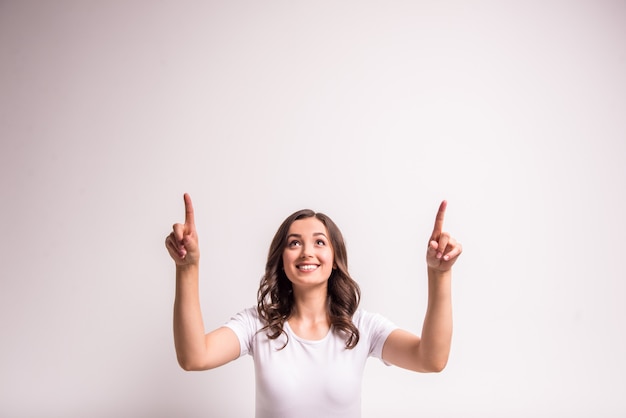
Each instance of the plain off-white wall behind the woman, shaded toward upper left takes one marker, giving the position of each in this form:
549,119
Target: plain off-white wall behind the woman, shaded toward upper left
369,111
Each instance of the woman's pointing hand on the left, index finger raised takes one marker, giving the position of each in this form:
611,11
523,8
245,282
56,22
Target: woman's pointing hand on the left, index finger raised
182,243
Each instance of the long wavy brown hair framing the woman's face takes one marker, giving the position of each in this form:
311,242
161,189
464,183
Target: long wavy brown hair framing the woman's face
275,300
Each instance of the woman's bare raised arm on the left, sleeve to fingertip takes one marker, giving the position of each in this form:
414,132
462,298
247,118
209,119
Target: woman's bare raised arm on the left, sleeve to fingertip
194,349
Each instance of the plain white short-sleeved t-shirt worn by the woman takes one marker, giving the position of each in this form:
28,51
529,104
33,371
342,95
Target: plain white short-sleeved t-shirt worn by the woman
309,378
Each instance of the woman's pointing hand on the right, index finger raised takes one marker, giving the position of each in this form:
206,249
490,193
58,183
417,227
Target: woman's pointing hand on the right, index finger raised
443,250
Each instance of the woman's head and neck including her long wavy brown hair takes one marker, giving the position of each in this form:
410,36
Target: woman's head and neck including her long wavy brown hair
308,258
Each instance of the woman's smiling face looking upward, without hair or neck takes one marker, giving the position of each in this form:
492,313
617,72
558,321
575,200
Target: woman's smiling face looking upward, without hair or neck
308,258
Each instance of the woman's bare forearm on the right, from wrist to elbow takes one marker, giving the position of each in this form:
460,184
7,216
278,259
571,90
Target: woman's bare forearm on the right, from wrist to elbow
436,338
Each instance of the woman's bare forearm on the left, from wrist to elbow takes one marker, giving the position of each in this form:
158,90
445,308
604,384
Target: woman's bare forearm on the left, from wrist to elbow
189,334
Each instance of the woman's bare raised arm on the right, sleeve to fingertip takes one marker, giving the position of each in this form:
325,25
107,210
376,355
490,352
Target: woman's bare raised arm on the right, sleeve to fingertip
429,353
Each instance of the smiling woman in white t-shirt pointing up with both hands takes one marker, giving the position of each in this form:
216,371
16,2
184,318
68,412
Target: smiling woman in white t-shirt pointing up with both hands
308,338
